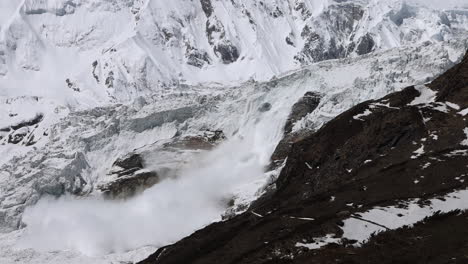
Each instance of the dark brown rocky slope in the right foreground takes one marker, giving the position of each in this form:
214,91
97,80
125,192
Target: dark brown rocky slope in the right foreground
397,150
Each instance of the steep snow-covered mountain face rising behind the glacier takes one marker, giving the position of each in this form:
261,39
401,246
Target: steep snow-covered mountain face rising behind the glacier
100,51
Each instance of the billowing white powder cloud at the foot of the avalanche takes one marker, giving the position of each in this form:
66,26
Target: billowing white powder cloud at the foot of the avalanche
161,215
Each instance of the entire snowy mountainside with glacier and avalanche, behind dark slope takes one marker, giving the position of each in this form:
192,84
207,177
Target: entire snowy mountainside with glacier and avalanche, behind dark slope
187,87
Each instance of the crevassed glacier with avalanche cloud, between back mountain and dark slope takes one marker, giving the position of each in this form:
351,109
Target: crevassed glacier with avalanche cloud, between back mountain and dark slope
204,180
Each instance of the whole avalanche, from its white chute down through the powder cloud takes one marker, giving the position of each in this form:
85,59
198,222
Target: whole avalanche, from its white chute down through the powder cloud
200,191
